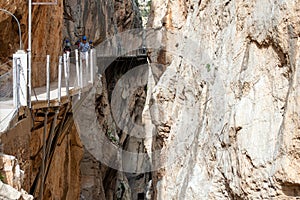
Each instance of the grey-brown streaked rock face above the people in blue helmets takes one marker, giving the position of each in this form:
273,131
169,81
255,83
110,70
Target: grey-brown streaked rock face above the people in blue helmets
99,19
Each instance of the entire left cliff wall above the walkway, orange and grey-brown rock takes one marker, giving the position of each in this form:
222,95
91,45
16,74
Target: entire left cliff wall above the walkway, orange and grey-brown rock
51,24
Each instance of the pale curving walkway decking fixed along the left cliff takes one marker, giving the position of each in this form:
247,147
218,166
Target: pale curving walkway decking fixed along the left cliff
8,113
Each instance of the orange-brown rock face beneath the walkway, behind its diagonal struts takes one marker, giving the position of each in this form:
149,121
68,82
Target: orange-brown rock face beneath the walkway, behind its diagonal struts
61,162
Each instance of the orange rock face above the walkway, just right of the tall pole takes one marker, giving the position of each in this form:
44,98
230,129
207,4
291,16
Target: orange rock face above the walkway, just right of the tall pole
47,24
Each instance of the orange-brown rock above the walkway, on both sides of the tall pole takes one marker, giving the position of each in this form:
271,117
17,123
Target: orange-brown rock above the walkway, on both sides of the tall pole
46,20
